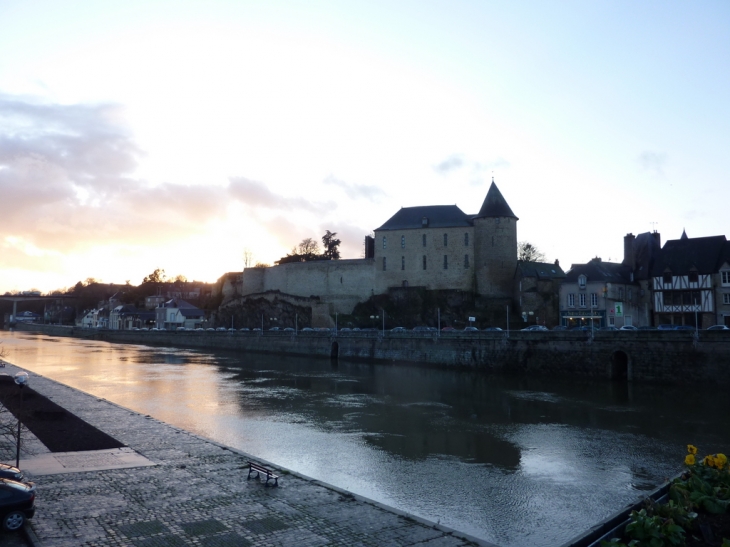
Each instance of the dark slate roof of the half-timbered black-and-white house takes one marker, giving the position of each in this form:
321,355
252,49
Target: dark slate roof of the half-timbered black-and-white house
706,254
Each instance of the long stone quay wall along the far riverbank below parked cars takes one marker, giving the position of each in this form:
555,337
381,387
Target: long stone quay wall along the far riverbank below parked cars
671,357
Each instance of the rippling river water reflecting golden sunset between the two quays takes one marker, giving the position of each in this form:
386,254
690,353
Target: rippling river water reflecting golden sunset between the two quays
512,460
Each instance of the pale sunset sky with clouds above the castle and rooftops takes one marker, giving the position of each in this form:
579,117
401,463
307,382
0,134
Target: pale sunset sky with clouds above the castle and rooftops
137,135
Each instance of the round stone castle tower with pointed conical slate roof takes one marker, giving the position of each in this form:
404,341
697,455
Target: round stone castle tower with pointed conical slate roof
495,246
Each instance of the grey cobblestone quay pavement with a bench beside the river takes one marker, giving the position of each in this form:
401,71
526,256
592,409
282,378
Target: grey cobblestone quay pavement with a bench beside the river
197,495
